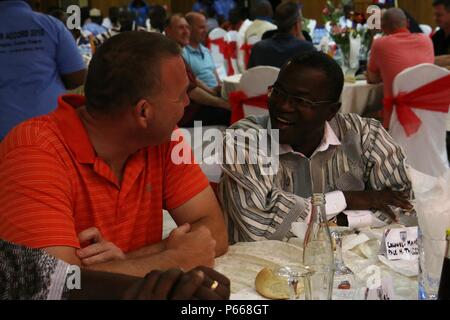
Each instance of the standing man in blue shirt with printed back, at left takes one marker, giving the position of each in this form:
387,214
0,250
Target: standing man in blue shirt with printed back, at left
39,60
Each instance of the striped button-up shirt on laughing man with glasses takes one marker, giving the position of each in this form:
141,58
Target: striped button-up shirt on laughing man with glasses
261,206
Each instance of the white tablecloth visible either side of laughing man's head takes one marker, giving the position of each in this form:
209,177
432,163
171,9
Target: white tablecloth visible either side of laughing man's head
357,97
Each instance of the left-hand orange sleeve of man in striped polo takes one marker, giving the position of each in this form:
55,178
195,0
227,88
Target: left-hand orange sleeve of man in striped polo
35,200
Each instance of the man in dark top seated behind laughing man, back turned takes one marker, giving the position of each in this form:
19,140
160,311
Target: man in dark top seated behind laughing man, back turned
287,42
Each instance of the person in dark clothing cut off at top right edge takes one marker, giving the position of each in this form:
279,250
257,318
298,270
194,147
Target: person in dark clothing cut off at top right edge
441,39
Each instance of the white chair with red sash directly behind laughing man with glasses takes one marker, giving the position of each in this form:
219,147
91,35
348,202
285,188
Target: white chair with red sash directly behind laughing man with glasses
251,98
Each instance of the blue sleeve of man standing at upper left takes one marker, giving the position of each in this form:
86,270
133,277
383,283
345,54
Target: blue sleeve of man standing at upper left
68,56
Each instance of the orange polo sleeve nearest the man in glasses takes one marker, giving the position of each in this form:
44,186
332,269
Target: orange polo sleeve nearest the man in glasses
183,178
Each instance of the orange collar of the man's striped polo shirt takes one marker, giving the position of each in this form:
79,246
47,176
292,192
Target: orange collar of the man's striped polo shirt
72,128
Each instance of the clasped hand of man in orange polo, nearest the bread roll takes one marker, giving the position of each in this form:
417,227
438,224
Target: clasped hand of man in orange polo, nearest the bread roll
194,248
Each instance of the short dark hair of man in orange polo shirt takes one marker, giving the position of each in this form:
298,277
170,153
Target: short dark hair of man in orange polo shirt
125,69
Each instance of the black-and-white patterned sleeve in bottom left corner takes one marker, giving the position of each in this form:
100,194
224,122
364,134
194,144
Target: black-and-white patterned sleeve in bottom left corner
36,275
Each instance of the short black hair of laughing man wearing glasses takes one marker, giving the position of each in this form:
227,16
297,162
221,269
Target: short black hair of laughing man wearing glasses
318,60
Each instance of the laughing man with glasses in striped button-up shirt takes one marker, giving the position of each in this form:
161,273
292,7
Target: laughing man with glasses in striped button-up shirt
352,160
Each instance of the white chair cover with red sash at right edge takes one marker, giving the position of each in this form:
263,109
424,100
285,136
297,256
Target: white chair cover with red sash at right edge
426,148
